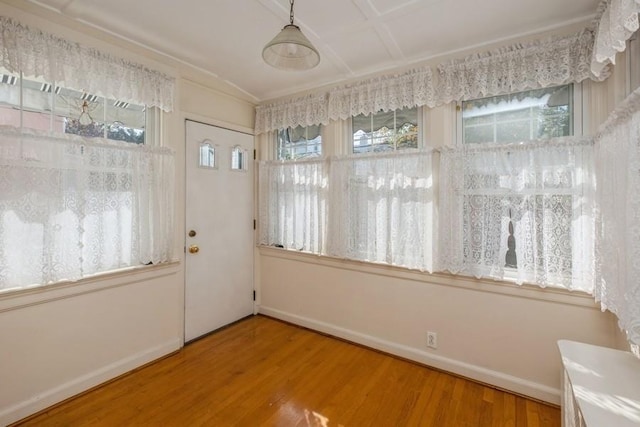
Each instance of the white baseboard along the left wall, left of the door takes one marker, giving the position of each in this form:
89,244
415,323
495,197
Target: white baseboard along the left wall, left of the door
76,386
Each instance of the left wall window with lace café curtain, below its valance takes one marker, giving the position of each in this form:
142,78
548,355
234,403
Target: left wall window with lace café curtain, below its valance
78,206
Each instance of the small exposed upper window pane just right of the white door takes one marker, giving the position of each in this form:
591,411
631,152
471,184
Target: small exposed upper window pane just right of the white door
299,142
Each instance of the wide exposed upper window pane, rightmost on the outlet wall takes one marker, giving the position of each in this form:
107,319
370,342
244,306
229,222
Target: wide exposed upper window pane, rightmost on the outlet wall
523,116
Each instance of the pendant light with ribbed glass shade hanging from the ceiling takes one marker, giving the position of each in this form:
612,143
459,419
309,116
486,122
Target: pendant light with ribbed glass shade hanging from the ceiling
290,49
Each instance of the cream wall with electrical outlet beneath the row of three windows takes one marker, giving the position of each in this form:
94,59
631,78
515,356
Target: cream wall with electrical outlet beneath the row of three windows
495,333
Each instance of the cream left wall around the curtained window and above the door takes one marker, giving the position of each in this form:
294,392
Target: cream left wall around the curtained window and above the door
61,340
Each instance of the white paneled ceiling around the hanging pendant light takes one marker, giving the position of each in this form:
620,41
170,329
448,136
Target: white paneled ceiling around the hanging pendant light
354,37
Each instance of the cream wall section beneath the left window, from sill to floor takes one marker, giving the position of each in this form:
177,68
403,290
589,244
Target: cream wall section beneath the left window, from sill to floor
59,342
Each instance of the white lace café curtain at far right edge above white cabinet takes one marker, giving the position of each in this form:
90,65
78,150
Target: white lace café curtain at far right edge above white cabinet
618,217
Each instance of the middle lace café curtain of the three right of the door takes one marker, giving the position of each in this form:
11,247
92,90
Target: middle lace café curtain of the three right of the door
381,208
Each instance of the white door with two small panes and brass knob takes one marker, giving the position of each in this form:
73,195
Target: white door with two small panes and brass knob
219,227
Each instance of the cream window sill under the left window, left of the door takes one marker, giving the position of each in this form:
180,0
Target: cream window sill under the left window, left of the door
12,299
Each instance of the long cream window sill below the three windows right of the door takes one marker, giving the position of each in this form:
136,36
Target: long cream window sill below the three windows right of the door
556,295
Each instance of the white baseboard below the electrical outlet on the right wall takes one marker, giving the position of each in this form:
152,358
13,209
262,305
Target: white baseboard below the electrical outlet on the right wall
478,373
